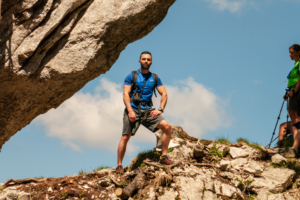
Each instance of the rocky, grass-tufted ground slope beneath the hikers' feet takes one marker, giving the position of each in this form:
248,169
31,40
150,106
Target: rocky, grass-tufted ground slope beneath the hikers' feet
203,170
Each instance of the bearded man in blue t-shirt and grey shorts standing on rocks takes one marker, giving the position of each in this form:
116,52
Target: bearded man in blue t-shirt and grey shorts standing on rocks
137,95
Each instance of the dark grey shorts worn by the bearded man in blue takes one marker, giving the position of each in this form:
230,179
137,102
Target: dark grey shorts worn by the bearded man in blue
132,127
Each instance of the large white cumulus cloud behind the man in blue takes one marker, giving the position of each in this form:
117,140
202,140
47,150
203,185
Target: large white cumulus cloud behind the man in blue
95,120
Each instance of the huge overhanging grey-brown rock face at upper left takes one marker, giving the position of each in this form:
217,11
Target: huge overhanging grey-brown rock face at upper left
49,49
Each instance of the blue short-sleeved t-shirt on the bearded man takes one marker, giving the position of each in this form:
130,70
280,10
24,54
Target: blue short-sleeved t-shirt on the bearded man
148,90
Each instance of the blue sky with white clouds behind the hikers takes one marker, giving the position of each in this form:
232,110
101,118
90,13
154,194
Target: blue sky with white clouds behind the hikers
223,62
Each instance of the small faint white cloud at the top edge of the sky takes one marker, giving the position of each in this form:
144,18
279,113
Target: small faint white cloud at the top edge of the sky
231,5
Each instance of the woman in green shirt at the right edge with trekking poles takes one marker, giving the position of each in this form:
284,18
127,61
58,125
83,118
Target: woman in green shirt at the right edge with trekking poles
293,99
